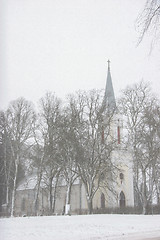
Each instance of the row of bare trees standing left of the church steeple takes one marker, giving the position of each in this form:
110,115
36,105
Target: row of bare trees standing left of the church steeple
58,141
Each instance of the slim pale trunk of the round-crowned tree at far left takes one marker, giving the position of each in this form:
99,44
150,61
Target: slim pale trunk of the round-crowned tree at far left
14,188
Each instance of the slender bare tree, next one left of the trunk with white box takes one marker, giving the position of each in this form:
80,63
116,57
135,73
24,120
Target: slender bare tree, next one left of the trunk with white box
50,117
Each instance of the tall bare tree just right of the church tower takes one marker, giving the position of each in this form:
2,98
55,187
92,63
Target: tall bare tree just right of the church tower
139,106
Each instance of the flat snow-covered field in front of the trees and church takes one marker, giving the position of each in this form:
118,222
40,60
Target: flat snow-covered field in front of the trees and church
84,227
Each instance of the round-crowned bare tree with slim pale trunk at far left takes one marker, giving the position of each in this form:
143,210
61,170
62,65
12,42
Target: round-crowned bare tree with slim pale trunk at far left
20,117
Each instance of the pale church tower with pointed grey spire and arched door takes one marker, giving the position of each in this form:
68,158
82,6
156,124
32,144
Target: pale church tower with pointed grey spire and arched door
121,156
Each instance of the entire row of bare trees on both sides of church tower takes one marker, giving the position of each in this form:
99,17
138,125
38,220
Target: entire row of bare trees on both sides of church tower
74,140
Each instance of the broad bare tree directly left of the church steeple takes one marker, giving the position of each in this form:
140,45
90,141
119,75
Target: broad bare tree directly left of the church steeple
95,142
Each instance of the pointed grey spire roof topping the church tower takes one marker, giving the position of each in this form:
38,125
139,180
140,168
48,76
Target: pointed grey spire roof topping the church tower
109,98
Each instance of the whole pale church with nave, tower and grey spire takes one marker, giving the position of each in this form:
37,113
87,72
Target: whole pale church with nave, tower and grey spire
122,196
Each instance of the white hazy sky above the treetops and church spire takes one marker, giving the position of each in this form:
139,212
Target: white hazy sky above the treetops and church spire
63,46
